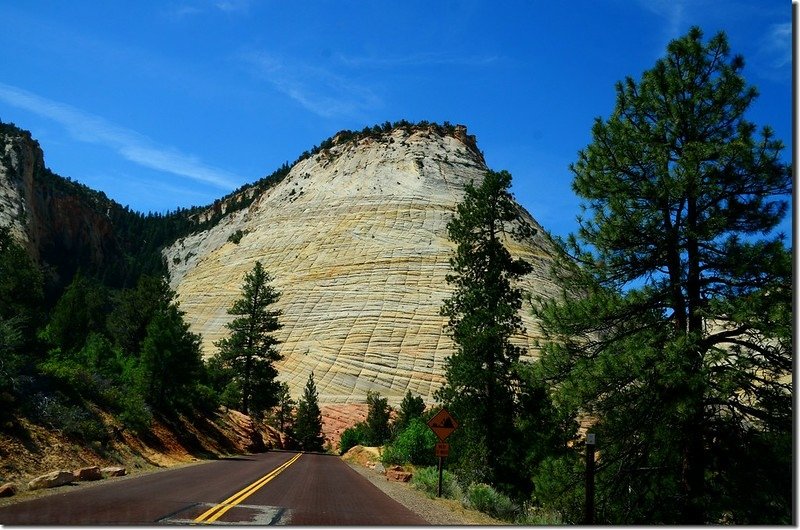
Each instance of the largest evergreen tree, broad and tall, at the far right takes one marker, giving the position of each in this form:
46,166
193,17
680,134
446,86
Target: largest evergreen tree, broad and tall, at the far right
675,333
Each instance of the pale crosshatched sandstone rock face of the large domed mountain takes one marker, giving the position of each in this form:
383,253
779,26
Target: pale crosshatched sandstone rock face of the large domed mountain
355,238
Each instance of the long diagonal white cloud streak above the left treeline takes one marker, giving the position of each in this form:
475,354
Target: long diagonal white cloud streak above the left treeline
129,144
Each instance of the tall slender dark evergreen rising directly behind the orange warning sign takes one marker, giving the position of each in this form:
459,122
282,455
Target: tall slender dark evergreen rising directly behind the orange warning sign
483,312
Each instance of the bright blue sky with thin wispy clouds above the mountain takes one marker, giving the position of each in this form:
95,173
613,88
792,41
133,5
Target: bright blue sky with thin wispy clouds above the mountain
176,103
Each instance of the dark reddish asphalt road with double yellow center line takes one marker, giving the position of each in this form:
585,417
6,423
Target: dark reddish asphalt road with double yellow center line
263,489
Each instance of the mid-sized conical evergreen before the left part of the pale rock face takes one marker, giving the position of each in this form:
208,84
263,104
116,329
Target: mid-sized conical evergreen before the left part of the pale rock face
250,350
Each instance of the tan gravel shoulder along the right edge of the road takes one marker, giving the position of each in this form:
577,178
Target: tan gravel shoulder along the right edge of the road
436,511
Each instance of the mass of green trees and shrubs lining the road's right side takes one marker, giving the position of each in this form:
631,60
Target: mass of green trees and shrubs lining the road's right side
672,339
